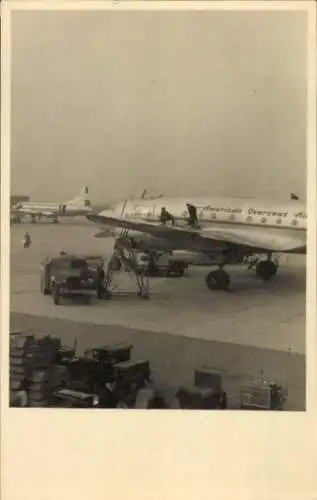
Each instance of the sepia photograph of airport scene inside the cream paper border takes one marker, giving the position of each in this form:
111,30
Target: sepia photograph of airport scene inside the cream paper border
158,209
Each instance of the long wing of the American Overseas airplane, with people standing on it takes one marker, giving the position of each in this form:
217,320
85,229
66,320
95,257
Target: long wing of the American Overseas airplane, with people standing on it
202,240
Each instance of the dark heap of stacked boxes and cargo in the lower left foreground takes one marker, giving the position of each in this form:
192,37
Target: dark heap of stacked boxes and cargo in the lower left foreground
42,370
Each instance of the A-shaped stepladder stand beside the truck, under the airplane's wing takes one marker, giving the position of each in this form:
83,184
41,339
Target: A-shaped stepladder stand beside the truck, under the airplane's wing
124,259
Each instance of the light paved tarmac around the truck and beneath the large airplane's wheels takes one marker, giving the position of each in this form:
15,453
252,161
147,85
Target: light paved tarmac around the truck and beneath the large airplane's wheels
258,329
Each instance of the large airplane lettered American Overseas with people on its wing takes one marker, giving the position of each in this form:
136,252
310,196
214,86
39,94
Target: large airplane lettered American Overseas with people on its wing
224,226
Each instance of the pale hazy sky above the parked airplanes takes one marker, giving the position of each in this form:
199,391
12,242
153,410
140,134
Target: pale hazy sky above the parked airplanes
196,103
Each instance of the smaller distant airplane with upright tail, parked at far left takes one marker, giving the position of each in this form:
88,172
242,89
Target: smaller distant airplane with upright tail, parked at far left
80,205
